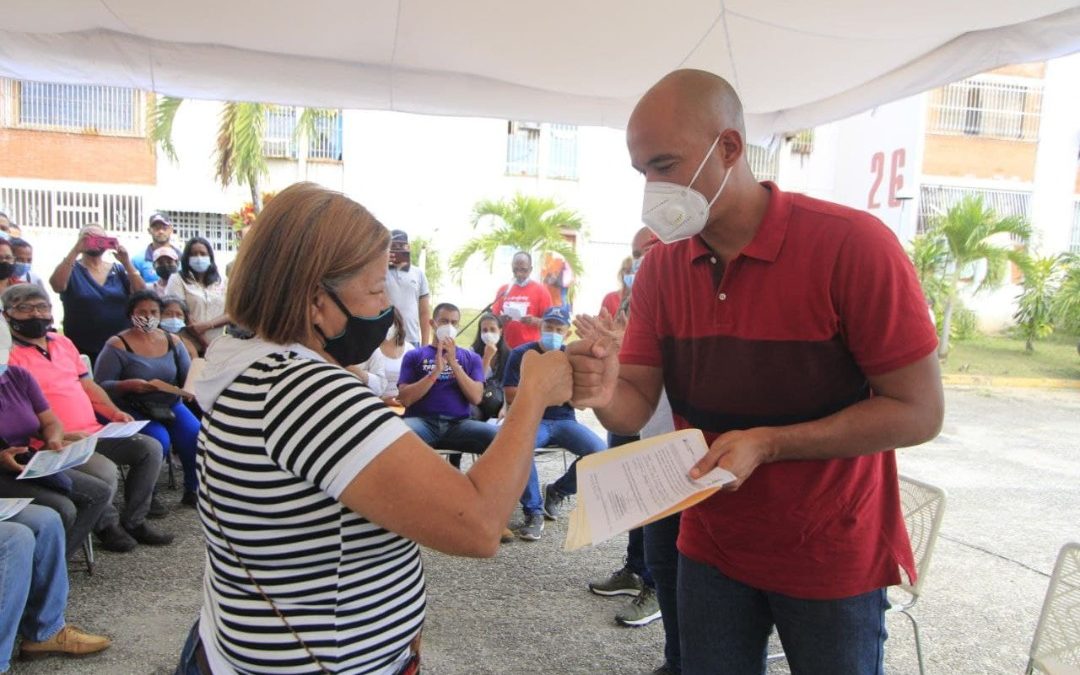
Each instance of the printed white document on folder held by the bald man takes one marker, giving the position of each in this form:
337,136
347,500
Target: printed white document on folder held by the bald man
634,484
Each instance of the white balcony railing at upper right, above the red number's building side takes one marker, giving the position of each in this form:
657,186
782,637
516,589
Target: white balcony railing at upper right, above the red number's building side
990,107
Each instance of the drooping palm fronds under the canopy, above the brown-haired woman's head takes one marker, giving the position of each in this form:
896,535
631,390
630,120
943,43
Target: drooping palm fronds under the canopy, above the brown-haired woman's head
240,157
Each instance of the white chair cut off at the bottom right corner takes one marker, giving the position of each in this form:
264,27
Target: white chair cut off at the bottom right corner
1056,649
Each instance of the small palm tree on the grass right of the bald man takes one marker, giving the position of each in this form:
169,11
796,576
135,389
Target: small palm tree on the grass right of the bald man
970,229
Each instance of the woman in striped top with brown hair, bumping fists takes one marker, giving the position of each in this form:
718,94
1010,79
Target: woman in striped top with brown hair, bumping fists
294,580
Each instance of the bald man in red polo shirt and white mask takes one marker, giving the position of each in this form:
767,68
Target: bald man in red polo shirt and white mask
794,334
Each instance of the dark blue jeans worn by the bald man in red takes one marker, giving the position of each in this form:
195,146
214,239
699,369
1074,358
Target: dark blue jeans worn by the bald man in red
725,627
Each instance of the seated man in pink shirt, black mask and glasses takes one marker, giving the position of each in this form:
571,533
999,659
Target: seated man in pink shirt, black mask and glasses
76,400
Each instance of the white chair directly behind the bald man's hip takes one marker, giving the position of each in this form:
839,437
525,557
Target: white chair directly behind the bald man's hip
924,506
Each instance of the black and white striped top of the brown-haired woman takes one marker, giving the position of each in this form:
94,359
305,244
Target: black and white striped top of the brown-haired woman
277,450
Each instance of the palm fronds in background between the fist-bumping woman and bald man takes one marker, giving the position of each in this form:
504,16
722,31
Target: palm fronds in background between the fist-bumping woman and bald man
525,223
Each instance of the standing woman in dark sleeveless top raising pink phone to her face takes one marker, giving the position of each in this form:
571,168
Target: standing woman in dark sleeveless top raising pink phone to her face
94,291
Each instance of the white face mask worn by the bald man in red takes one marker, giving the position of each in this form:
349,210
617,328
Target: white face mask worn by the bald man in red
677,212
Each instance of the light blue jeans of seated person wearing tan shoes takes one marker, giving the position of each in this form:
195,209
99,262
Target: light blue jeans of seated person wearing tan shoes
33,578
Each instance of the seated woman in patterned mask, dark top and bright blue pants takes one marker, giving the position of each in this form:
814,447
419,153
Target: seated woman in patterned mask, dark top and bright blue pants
137,368
